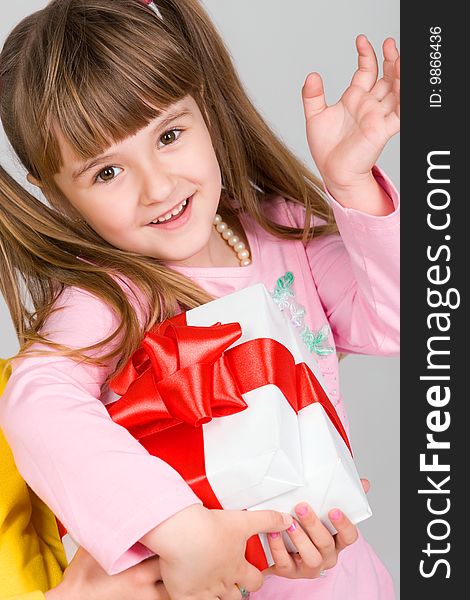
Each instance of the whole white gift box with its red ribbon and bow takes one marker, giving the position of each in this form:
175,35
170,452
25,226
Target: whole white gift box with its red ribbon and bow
228,394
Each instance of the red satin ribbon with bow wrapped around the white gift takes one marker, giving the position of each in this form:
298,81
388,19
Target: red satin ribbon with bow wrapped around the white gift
182,376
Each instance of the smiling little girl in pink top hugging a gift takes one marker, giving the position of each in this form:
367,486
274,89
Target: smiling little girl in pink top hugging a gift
132,121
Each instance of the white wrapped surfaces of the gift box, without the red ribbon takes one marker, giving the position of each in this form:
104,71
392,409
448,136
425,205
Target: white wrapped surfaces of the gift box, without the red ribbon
268,455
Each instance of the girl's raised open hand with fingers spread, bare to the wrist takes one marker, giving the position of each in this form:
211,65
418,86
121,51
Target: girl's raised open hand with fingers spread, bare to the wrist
346,138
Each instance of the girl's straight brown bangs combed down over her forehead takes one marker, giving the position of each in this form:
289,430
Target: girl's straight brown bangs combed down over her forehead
110,82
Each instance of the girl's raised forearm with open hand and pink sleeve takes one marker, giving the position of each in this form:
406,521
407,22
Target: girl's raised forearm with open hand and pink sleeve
357,274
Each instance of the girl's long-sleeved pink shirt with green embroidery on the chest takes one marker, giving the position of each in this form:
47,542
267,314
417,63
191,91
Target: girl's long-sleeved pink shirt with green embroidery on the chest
104,486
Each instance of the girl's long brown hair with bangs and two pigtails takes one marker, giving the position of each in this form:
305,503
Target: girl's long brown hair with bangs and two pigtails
73,65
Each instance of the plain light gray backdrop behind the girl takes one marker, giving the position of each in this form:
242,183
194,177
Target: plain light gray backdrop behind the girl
275,45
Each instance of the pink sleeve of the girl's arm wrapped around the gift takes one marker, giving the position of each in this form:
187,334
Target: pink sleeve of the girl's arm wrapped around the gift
100,482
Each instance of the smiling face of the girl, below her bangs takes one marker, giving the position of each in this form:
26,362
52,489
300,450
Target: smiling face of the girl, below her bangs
167,169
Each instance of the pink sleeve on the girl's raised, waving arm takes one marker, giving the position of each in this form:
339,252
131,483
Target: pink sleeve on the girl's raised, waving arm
357,275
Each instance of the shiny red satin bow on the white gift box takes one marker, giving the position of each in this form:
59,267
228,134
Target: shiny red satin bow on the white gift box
179,374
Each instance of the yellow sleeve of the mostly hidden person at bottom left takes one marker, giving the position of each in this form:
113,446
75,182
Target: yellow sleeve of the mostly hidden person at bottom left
32,557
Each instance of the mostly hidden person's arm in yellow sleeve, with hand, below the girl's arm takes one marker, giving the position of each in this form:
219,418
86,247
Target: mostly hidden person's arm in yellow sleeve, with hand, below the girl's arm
32,555
